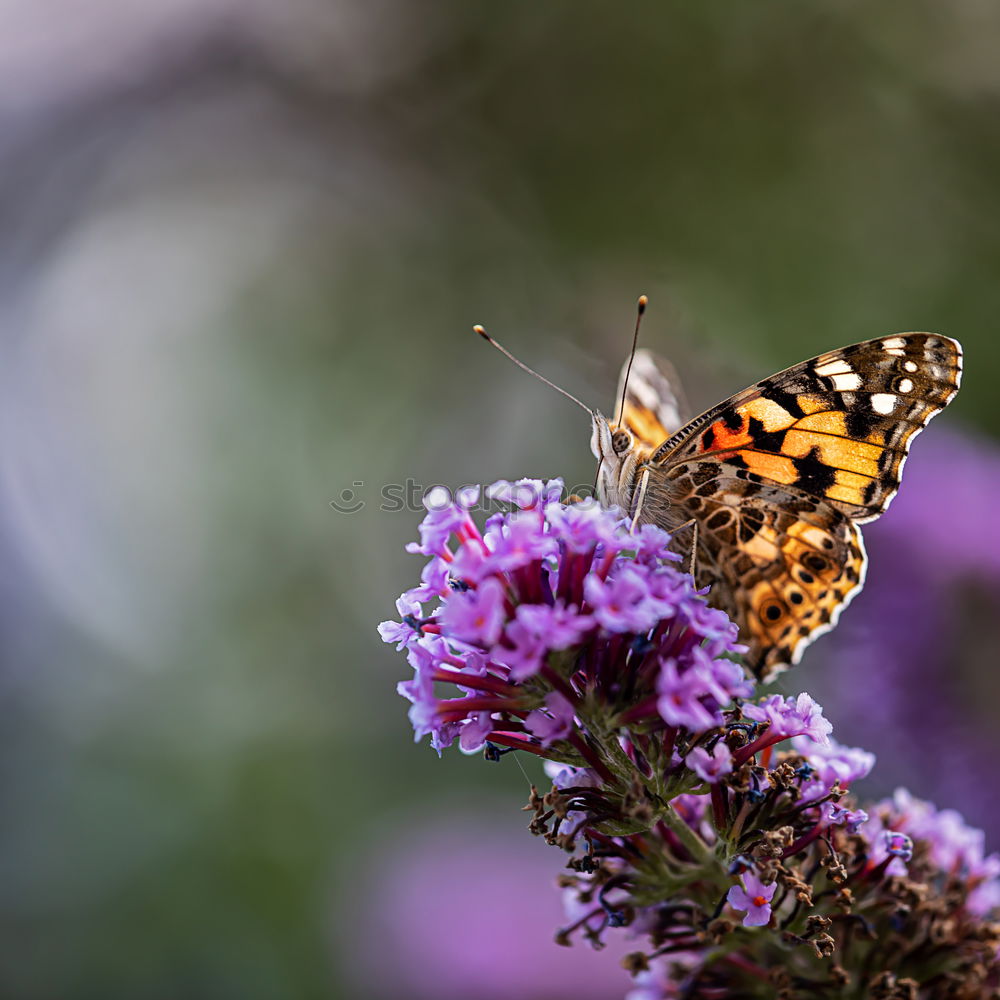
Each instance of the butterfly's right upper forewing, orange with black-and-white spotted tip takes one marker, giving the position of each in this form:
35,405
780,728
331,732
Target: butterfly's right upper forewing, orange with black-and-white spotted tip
838,426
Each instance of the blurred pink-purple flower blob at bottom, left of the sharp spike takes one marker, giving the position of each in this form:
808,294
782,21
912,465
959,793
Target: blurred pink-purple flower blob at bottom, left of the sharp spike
465,910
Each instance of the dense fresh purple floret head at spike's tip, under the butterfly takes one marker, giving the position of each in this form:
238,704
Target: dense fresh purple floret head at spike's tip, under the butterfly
554,610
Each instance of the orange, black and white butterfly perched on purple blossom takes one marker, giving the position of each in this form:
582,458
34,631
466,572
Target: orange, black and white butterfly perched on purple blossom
774,483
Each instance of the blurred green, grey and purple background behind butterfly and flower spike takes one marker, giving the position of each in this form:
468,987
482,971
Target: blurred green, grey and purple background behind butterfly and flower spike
243,245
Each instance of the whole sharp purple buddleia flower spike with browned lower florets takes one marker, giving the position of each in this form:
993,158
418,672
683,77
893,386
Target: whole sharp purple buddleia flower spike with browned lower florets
721,833
